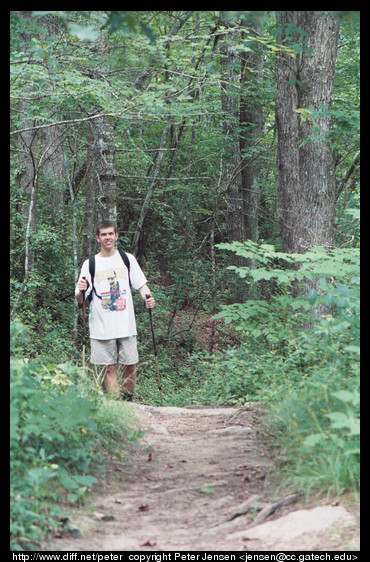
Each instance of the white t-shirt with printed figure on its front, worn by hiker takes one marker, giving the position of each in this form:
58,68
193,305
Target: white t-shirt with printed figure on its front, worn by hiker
113,315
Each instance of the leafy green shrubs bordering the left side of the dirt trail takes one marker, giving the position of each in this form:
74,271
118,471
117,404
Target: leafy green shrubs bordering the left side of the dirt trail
60,430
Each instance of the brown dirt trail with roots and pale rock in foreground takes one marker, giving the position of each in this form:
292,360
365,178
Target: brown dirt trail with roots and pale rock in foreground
183,487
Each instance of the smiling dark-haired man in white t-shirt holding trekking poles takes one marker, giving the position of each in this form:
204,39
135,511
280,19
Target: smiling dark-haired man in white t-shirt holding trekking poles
112,321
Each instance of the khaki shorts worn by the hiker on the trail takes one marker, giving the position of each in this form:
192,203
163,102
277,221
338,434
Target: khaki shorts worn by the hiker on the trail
111,352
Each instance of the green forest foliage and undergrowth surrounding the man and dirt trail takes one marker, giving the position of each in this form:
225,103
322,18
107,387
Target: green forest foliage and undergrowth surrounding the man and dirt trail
166,122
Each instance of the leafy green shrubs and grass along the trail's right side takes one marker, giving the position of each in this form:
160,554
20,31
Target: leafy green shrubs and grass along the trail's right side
301,357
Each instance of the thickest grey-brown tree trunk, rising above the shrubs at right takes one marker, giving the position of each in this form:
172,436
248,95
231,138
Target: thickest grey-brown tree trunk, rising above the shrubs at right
305,158
